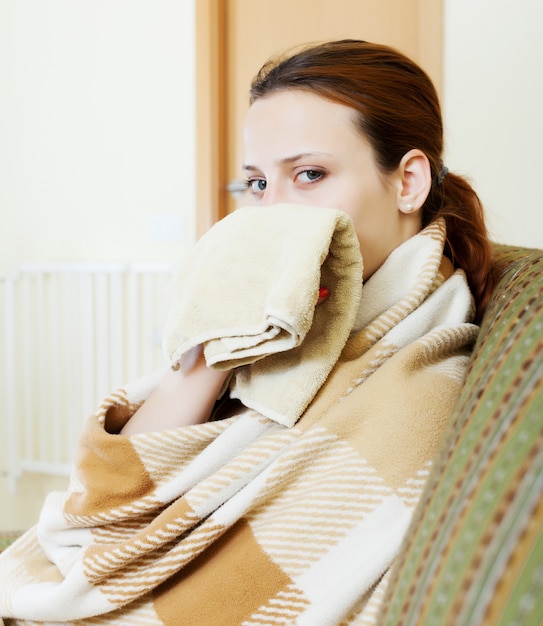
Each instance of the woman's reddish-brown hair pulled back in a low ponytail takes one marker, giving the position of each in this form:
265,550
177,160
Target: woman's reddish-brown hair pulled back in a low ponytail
398,110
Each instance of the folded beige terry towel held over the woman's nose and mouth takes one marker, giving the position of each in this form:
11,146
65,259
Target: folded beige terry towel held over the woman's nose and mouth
248,293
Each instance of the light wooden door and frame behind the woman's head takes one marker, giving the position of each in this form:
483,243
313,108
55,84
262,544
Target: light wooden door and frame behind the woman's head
234,39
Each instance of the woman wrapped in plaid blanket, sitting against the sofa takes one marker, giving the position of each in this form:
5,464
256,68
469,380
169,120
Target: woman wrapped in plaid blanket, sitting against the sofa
249,518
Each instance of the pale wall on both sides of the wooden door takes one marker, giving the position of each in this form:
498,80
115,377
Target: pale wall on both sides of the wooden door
97,131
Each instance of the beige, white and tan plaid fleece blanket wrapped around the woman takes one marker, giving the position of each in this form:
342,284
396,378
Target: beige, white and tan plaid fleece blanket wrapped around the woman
251,520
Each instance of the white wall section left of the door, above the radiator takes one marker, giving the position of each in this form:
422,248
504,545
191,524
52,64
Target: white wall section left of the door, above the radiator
96,127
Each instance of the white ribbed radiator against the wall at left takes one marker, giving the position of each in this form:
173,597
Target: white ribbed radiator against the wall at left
73,334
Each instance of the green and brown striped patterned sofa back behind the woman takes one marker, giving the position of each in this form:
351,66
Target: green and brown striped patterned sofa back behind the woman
474,552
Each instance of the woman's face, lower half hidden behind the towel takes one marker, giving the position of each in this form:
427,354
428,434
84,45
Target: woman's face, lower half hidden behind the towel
301,148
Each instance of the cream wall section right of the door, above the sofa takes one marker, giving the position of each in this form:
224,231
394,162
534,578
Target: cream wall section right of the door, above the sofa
493,104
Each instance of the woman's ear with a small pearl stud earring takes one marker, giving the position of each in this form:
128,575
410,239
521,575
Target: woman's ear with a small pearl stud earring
416,181
